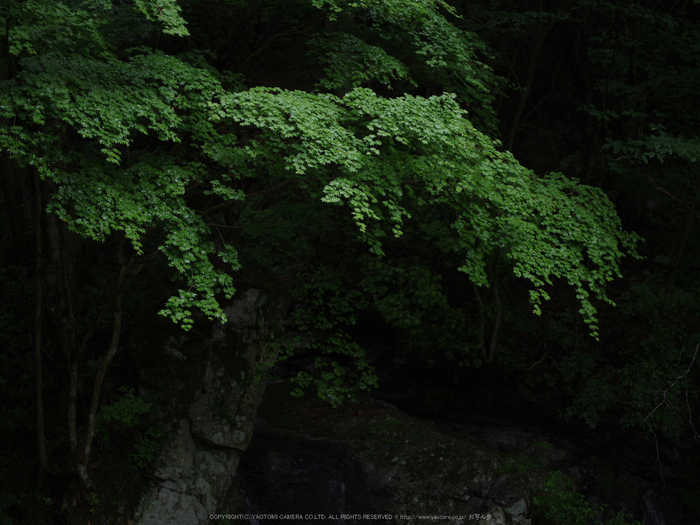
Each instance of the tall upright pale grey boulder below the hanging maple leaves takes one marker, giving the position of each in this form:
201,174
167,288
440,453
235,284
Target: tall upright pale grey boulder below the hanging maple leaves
204,388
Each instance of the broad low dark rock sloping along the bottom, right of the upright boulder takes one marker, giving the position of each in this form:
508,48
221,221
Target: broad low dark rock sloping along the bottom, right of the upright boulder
369,458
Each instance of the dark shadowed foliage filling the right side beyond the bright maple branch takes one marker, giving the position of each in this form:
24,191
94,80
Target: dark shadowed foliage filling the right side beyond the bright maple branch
634,69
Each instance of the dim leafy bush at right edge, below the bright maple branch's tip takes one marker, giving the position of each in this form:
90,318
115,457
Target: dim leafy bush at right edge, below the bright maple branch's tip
654,383
